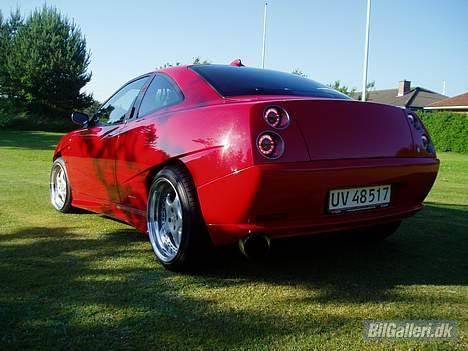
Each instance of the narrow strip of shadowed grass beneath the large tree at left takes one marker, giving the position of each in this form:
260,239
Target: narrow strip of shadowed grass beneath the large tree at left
32,140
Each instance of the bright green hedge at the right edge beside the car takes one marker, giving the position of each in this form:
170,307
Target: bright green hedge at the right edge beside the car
448,130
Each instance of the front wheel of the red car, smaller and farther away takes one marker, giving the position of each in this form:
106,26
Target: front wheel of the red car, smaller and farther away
60,190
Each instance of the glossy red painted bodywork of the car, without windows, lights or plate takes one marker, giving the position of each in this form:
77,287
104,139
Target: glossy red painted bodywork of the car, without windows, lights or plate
330,144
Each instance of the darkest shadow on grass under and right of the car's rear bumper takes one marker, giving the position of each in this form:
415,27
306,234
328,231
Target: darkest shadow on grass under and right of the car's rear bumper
429,248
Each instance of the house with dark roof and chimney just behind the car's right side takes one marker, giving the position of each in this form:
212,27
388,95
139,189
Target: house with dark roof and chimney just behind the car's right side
405,96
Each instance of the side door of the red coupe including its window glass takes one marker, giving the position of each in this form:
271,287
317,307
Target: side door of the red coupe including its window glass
92,162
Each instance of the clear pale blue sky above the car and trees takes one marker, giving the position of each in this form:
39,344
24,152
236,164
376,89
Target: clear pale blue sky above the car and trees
424,41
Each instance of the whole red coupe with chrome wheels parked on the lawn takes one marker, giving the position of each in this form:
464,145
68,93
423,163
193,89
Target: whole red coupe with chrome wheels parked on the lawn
219,154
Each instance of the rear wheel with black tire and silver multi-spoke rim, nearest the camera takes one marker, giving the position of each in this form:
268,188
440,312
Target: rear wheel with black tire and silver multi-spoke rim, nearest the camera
176,229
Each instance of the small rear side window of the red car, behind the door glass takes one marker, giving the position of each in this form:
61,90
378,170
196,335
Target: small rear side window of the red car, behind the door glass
160,93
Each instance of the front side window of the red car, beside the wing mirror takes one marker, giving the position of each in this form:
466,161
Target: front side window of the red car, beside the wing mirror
115,109
